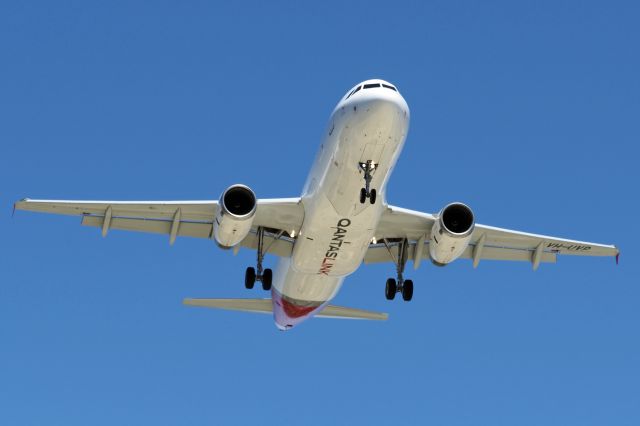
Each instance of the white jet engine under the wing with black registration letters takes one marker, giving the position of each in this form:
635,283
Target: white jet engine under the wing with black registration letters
451,233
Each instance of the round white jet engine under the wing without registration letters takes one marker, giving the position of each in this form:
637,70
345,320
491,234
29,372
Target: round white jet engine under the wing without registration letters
233,221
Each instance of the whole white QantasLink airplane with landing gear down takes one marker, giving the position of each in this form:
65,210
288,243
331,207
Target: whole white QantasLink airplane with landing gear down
341,220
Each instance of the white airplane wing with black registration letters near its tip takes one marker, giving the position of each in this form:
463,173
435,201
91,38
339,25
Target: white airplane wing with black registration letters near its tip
487,242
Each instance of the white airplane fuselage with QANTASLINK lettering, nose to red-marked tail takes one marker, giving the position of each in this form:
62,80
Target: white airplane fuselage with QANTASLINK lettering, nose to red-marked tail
369,125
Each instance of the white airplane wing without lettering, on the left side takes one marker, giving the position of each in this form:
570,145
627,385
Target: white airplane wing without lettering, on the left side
279,216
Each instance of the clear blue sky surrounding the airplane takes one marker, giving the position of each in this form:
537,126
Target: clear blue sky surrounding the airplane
527,111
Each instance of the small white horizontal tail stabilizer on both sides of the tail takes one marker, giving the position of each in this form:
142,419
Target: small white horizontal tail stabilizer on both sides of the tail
264,306
